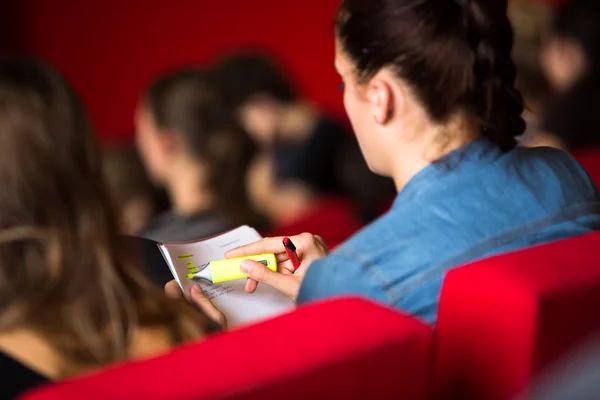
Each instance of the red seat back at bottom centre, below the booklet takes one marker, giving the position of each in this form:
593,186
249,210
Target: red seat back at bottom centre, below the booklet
341,349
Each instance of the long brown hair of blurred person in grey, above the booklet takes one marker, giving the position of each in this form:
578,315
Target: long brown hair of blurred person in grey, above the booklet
189,102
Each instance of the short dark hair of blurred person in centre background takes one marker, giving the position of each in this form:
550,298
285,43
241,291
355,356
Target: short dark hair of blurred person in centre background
245,74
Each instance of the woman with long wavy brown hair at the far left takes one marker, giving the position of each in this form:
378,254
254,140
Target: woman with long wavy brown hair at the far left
71,298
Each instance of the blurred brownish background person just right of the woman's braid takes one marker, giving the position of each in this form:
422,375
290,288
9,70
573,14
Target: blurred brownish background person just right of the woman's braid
531,21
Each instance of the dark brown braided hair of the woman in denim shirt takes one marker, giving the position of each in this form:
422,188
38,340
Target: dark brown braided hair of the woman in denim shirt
455,55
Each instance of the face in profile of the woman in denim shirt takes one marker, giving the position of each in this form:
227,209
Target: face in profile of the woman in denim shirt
359,108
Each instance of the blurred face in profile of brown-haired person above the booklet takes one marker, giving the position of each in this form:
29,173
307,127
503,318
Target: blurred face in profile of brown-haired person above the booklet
150,144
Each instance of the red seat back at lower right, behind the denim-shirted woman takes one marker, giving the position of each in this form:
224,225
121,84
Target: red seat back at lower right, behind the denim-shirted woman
503,319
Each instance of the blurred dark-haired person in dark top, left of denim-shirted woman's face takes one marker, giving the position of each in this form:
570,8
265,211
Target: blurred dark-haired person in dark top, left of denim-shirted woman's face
308,165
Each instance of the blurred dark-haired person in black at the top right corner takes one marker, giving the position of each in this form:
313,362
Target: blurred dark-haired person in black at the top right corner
571,60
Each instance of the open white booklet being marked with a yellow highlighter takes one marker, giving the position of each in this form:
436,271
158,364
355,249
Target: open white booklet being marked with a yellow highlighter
230,298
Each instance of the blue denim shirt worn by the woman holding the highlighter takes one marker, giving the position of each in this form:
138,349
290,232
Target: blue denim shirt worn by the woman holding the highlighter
473,203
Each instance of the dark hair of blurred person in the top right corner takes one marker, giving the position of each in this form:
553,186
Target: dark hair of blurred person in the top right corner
578,20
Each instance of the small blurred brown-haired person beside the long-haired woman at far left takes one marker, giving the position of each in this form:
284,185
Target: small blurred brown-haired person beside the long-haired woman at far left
137,199
